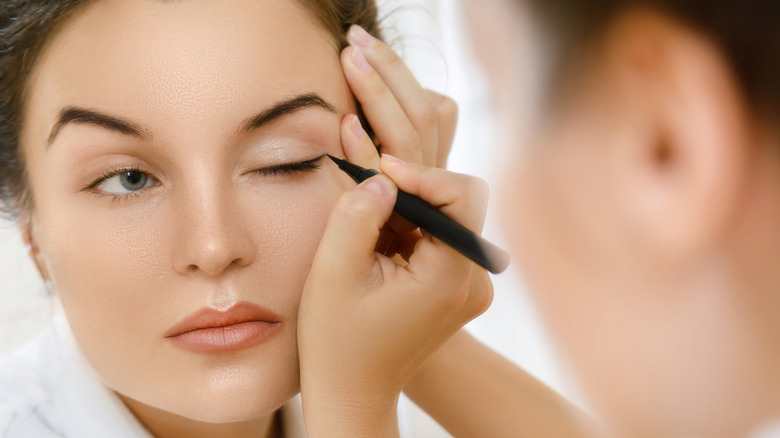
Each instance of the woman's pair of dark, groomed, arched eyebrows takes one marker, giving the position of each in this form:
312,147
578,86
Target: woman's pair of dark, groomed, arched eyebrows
74,114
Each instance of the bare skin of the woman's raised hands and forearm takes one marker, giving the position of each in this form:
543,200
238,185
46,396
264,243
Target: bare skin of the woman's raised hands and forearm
353,372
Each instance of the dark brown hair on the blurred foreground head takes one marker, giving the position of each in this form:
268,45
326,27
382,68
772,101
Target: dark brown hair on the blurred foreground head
746,31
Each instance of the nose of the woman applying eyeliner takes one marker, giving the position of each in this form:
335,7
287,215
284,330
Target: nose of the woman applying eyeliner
212,236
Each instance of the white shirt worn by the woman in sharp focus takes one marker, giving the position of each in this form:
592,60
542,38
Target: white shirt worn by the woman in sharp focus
48,390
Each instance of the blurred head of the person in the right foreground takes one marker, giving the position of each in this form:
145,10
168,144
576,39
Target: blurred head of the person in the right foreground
643,200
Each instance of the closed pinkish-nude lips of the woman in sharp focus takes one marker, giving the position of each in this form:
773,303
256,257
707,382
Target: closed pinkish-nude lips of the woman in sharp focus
208,330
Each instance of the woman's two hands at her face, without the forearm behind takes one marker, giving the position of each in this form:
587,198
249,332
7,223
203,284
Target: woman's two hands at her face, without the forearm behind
367,322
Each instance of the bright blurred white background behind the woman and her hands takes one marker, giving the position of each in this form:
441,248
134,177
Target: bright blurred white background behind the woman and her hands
431,36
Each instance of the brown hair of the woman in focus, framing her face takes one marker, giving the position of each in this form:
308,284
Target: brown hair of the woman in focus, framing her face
27,25
